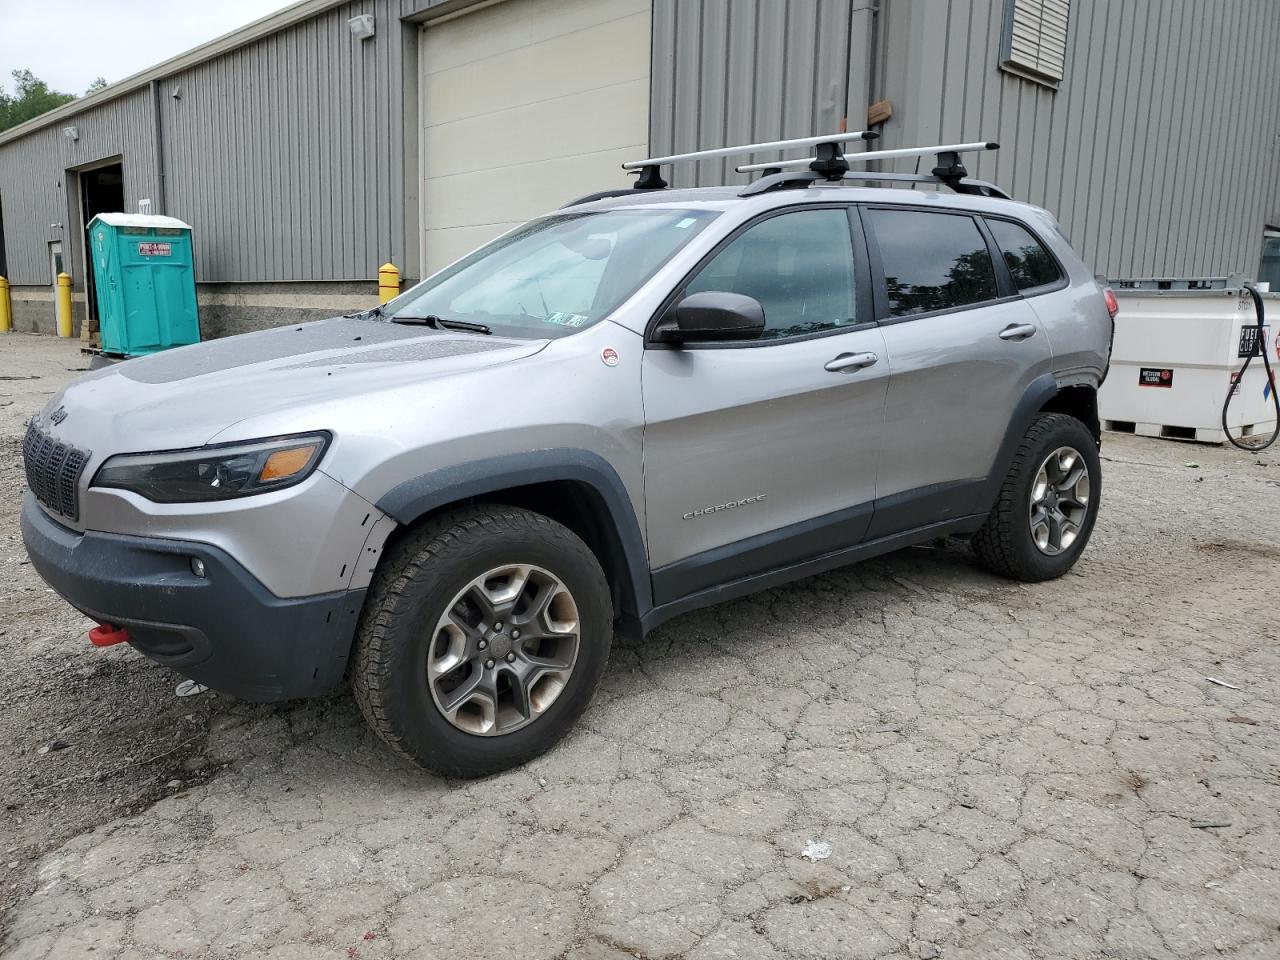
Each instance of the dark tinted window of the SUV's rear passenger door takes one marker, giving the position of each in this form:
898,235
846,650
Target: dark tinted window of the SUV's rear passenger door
932,262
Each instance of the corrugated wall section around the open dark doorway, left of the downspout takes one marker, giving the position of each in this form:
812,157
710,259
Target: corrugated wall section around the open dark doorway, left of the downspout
34,191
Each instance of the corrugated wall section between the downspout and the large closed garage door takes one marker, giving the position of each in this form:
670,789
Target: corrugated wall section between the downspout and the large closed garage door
287,157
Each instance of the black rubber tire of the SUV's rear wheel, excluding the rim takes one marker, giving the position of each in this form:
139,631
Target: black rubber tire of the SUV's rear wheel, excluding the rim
1005,545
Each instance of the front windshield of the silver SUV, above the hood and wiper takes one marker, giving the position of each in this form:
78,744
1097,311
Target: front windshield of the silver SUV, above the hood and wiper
555,276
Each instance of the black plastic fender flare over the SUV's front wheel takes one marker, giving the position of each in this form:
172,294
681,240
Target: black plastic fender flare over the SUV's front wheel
415,499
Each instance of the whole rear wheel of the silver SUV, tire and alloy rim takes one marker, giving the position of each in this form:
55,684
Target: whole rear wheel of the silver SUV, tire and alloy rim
1048,505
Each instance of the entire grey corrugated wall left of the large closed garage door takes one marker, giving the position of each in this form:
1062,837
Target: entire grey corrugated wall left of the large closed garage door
286,156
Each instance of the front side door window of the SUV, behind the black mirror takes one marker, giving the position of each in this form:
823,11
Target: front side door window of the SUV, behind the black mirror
801,267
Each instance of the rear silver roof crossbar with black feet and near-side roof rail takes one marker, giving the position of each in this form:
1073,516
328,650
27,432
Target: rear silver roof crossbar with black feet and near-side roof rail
949,171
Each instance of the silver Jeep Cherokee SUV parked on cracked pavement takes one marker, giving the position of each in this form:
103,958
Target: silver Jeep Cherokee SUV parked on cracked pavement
629,409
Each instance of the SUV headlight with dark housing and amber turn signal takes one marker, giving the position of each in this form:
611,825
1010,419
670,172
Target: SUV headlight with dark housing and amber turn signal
216,473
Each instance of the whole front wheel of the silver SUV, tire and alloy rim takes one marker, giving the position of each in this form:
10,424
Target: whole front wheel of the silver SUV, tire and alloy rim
483,641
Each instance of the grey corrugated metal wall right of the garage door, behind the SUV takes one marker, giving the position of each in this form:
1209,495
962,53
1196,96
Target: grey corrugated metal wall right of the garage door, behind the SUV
1159,153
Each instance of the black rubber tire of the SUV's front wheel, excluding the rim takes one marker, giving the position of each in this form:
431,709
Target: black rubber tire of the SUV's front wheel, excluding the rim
423,574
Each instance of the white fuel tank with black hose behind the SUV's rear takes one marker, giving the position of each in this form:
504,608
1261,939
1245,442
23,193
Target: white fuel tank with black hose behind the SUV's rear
1180,346
